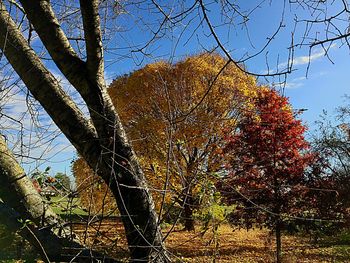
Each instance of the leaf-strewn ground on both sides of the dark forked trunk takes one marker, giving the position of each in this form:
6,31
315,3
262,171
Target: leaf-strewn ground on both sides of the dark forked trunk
224,245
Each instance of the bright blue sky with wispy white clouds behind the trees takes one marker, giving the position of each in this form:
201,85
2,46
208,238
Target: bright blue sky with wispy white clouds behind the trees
320,88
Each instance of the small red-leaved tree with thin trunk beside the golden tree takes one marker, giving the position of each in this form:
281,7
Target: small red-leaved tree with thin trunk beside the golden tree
268,156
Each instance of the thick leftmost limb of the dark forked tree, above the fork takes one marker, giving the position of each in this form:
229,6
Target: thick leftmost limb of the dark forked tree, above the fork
42,83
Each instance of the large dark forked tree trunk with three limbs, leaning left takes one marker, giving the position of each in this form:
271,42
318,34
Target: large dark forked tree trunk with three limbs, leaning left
101,142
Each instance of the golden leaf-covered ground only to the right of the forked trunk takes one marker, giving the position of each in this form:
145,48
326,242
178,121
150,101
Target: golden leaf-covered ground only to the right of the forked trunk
250,246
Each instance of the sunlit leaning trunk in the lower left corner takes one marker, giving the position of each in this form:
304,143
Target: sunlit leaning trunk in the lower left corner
45,230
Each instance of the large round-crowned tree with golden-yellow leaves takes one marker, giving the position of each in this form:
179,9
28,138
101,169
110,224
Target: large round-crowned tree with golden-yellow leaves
175,115
